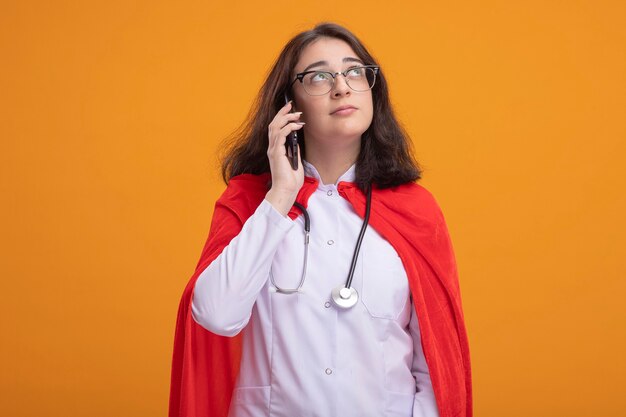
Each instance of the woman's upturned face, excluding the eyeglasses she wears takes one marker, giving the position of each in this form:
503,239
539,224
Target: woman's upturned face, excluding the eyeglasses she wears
324,125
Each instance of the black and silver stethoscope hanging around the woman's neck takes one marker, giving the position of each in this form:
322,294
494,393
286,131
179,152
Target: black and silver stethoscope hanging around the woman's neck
344,296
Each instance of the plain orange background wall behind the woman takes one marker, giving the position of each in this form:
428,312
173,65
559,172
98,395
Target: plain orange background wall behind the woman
111,114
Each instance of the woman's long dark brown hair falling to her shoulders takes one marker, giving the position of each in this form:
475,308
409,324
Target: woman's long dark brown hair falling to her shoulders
385,158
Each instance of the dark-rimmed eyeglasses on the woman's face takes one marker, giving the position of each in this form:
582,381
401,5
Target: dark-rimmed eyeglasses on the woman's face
318,83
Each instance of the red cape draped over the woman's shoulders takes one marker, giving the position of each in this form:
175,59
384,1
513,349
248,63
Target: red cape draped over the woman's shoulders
205,365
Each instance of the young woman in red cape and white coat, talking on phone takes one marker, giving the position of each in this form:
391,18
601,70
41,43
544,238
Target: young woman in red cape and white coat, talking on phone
328,285
